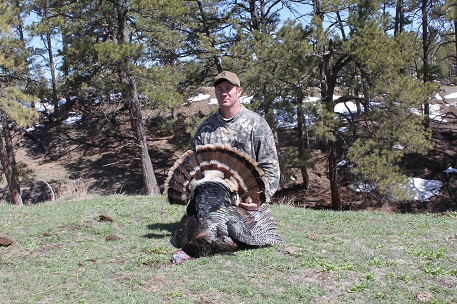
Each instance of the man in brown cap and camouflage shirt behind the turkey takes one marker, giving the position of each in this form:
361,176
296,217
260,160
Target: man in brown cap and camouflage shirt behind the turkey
241,128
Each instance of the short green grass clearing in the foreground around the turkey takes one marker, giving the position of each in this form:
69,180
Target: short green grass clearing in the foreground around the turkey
60,255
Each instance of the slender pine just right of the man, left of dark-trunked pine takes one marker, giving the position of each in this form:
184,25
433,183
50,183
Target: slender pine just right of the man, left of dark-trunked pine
294,75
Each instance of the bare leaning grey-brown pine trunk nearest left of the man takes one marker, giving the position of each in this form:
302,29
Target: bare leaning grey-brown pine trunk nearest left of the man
149,180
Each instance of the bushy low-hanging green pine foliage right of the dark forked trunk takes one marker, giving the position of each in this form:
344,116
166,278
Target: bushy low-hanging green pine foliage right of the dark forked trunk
387,130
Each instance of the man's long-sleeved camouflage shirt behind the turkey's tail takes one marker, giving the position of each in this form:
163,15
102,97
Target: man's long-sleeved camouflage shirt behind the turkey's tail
248,132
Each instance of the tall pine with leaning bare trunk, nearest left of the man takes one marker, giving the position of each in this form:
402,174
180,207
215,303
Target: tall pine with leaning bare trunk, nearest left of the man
129,45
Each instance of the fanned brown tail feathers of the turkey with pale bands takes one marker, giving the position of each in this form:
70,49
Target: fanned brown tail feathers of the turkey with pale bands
232,163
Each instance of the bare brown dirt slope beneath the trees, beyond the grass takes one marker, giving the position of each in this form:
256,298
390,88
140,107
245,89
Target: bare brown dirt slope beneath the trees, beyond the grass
91,157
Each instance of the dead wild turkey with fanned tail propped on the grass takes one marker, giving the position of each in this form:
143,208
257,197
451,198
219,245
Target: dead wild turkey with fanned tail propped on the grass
212,181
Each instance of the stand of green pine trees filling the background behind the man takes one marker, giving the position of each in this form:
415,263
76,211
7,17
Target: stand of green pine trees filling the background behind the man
388,57
